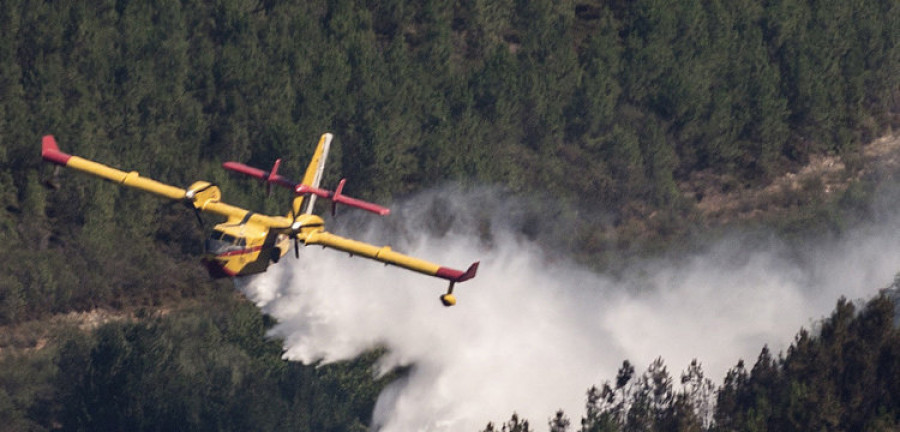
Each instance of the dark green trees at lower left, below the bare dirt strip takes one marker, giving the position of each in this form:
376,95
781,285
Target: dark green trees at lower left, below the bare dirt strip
204,369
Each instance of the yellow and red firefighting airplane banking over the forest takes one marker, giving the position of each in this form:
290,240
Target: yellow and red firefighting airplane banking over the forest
247,242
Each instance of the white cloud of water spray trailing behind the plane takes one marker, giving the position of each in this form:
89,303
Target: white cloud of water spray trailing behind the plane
533,331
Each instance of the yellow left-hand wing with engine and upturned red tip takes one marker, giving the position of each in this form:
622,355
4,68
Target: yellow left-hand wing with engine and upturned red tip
202,196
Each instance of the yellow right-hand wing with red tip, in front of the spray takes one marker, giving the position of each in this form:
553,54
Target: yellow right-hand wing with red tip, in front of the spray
386,255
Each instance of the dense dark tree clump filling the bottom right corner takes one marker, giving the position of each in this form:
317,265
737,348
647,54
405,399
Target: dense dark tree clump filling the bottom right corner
841,379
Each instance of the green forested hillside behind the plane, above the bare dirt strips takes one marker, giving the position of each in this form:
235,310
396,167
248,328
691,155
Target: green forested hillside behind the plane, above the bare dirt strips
602,105
